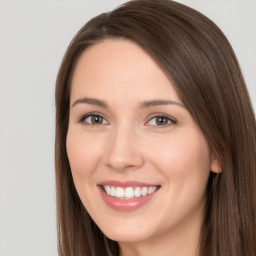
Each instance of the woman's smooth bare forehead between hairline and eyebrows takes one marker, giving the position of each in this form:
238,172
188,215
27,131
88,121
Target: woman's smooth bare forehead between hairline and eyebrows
120,67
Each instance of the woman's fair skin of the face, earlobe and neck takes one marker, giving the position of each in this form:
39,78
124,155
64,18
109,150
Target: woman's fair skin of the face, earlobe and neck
129,144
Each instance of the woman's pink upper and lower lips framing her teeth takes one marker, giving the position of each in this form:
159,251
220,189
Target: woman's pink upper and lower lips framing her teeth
126,205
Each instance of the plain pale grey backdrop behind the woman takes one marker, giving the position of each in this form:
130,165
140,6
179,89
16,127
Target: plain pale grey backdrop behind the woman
33,38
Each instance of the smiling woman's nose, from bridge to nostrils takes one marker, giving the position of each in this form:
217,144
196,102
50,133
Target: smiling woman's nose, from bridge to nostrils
124,151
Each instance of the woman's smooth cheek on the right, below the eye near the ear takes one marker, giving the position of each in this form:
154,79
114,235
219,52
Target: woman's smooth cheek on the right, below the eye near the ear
184,161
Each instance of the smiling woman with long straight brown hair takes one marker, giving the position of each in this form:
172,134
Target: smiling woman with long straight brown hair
155,138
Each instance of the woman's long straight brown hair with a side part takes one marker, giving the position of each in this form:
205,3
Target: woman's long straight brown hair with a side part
200,62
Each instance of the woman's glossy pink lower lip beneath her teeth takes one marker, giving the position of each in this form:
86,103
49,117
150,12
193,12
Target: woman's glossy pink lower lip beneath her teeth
126,205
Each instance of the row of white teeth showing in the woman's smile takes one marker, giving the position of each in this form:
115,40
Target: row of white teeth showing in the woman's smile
129,192
